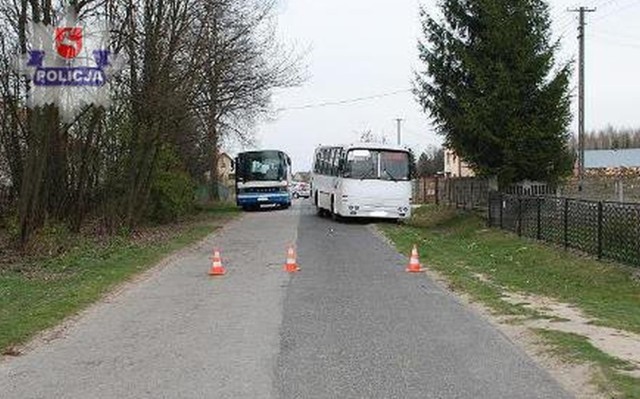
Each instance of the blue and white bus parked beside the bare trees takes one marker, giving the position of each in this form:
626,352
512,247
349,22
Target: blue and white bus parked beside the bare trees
263,179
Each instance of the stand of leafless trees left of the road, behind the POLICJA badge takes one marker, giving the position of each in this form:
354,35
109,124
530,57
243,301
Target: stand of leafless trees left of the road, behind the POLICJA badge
197,71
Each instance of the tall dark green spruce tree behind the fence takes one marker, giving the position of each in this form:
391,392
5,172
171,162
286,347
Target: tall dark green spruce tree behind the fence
493,90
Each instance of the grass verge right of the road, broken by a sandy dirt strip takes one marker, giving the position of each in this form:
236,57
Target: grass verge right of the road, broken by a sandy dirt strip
484,263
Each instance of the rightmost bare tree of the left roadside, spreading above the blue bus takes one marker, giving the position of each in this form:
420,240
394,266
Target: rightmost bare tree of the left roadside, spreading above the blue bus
242,65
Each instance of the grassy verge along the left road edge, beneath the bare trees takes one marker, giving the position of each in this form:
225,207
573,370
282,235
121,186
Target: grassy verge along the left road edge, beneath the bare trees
39,293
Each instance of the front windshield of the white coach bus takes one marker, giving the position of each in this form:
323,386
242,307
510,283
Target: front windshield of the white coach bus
377,164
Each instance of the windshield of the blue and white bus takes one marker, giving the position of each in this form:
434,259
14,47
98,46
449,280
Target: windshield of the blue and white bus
262,166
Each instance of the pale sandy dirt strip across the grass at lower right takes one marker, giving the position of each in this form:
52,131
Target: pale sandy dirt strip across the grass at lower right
564,317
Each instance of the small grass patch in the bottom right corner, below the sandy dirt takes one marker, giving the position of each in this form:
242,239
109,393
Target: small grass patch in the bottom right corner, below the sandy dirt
576,348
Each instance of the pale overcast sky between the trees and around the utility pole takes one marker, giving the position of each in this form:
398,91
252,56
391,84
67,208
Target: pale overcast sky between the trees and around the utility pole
367,50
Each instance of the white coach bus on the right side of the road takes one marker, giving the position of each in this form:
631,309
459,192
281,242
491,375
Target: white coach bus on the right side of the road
362,180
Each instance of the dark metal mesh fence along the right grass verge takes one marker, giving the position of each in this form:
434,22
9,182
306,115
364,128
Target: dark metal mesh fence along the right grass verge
610,230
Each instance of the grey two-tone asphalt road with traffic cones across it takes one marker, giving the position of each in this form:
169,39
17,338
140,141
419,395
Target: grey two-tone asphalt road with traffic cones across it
351,324
